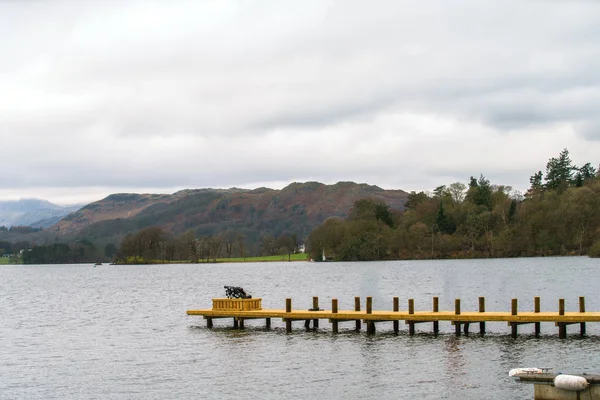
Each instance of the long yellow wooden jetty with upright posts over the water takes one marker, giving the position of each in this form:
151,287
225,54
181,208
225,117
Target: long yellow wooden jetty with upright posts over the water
242,309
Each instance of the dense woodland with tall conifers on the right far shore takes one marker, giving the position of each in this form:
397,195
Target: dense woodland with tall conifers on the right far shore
559,215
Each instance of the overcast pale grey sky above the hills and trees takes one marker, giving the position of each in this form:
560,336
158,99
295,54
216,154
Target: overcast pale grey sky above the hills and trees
101,97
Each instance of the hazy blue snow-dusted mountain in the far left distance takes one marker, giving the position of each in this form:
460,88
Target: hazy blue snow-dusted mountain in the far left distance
33,212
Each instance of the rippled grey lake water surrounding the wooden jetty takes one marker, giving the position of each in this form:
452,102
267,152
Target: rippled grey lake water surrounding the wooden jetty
121,332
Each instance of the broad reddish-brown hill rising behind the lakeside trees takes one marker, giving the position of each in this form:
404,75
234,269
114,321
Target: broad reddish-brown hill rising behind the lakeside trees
297,208
